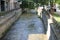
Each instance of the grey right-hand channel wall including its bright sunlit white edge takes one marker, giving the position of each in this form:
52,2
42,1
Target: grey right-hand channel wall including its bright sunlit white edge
48,24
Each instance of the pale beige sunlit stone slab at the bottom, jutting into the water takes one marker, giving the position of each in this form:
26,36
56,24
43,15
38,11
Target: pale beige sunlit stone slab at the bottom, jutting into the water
37,37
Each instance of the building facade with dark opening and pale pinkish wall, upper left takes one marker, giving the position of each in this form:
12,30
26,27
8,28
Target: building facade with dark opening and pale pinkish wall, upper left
6,5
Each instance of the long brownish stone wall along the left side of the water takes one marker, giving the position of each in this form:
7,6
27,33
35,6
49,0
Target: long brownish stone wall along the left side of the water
6,22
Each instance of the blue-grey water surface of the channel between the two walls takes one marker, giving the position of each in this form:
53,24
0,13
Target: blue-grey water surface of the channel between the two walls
26,25
